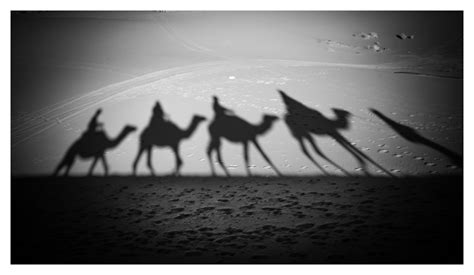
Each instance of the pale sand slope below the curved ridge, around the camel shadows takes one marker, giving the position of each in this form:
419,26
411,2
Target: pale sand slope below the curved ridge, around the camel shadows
430,105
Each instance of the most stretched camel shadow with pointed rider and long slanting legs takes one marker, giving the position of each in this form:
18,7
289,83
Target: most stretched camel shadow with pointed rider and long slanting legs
305,122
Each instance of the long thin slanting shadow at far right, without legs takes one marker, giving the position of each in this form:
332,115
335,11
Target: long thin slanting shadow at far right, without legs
412,135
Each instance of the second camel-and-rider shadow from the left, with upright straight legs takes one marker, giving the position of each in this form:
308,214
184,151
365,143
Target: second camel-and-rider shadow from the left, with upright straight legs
162,132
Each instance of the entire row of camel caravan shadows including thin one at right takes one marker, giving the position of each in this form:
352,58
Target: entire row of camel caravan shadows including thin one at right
303,123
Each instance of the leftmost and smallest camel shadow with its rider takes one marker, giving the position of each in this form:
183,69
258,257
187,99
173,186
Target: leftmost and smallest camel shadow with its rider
93,143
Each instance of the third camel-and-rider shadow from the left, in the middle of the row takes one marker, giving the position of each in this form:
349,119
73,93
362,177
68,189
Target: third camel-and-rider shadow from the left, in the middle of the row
226,125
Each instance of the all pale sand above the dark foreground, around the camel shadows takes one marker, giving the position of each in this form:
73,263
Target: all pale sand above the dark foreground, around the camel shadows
124,62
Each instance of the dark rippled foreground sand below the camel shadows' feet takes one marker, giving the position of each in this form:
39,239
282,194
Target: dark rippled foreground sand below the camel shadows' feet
237,220
